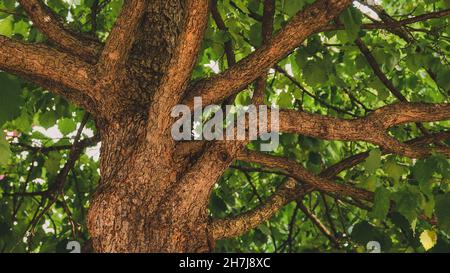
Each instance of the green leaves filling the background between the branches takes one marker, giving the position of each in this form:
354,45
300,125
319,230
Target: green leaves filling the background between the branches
332,71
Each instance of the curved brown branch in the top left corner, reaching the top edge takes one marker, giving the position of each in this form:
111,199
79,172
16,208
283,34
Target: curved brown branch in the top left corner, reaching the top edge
51,25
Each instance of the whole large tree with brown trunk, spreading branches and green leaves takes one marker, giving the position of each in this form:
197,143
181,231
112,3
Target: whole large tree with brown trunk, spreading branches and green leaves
364,106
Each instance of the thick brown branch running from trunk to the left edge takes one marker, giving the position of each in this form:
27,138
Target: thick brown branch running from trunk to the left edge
63,73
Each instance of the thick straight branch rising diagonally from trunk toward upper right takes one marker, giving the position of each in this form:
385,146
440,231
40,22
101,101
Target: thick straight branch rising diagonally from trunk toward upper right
249,69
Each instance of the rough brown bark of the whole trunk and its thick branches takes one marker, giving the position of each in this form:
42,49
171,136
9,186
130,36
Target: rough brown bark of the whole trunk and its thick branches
154,193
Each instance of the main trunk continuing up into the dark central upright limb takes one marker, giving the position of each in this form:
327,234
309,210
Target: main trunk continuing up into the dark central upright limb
140,205
